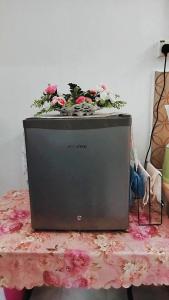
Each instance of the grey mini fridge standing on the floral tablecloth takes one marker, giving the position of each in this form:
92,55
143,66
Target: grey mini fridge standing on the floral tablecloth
78,172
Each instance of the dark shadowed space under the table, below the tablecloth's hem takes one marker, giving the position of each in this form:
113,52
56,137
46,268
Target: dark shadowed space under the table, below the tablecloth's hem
140,293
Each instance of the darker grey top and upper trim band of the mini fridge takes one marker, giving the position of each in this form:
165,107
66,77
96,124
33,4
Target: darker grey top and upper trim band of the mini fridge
85,122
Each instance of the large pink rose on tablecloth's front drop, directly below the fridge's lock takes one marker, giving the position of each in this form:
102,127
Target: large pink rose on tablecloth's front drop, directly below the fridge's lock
76,261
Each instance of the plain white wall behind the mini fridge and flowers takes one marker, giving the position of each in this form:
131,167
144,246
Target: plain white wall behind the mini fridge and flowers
83,41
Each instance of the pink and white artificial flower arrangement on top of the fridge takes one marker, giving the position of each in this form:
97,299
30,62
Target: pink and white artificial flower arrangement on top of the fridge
77,101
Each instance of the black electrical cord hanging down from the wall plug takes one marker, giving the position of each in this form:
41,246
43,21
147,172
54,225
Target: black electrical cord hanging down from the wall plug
157,110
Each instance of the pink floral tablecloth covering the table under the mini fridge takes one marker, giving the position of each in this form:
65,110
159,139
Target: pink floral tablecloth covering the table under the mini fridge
72,259
